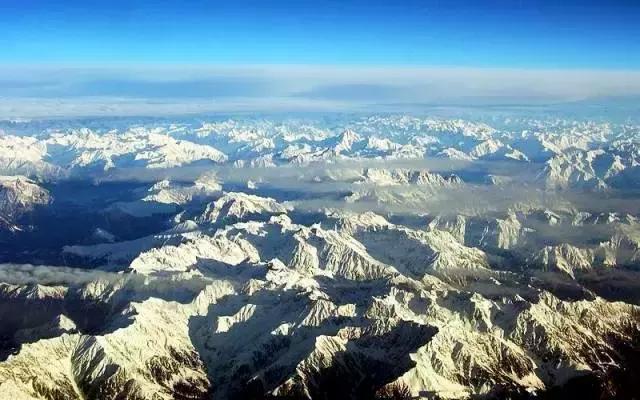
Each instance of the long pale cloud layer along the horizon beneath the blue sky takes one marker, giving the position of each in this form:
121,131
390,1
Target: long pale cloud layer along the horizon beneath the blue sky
154,90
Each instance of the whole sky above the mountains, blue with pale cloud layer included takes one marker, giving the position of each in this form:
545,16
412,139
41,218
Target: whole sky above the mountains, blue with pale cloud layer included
319,53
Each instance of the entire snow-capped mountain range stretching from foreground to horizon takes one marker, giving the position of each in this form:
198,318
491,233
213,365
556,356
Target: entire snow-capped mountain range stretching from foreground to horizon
342,258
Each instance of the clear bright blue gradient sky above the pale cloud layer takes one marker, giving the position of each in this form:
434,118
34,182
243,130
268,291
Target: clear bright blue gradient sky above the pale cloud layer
472,33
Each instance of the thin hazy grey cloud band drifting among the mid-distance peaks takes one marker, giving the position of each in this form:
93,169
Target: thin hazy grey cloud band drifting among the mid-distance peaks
319,186
